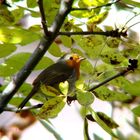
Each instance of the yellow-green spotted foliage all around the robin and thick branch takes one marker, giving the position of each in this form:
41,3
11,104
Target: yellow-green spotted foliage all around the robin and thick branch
107,53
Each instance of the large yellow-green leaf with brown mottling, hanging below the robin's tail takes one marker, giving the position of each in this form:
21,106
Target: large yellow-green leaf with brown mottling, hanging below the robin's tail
52,107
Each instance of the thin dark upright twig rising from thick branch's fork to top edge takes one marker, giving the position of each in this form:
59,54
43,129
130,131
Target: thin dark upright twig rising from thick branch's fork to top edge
43,19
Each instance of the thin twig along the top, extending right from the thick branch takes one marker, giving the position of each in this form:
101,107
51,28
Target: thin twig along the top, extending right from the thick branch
95,7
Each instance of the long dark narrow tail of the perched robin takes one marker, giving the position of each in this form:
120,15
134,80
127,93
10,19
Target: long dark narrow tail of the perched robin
23,103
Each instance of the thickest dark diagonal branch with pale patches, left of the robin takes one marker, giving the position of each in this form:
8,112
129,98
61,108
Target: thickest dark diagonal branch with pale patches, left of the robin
41,49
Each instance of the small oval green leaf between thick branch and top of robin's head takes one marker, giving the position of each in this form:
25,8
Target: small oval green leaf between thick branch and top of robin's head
54,50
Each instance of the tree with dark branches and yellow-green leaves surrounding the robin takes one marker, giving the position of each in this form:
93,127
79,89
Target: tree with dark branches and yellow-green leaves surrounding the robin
112,56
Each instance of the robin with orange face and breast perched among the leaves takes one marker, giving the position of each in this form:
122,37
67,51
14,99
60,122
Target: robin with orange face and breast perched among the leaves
67,68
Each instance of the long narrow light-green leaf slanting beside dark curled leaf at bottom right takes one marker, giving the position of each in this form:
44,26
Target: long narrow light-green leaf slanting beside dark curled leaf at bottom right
101,123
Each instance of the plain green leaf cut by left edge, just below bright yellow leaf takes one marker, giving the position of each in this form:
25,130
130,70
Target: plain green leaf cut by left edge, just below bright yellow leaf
6,49
